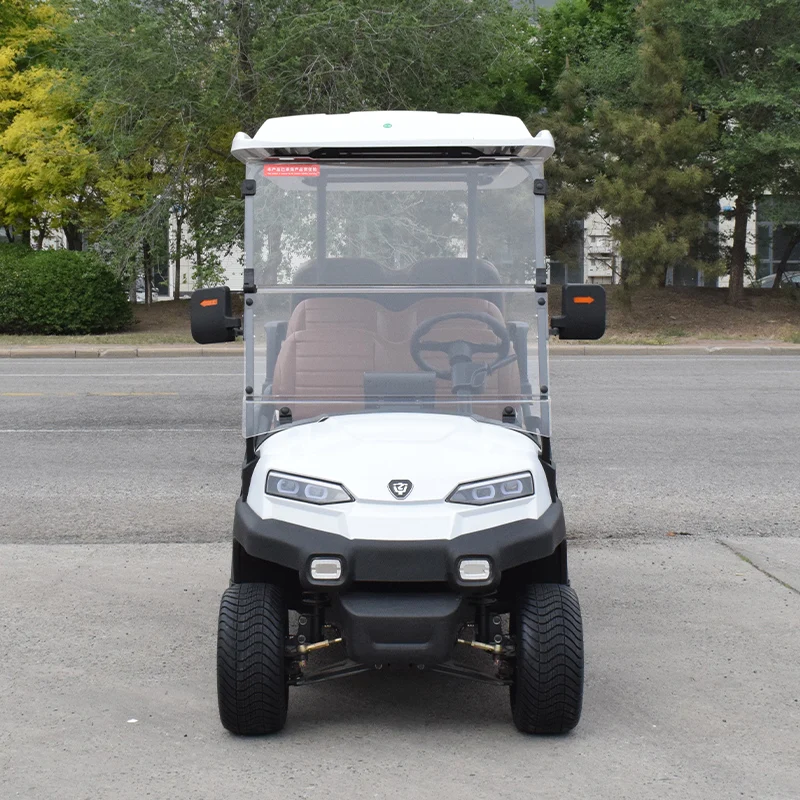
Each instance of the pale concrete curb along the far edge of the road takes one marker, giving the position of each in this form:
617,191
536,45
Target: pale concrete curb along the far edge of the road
195,351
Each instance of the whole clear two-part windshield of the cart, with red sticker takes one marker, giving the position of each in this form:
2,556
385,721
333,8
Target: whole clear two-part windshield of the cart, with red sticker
391,287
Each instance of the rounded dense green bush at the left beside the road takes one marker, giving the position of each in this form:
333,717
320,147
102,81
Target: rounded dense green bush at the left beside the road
59,292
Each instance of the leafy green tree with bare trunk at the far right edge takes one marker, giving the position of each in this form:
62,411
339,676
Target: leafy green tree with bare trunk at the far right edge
743,65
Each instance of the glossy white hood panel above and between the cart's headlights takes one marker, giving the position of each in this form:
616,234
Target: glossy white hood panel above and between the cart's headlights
364,452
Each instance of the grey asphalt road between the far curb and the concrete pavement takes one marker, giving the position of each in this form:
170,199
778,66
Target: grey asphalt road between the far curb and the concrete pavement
146,450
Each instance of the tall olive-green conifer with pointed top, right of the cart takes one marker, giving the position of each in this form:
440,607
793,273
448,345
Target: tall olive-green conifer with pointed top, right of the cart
656,179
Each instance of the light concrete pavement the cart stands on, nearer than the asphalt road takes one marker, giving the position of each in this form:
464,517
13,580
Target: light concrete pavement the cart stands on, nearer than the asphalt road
107,688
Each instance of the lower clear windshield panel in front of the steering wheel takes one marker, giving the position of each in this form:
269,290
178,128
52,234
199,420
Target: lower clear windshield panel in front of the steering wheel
336,350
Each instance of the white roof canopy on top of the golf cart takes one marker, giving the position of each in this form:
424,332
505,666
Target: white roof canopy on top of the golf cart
492,134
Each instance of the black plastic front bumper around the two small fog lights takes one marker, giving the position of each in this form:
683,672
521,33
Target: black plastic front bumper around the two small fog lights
372,561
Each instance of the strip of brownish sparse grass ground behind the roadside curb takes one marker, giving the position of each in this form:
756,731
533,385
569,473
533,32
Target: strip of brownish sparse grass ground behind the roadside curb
651,316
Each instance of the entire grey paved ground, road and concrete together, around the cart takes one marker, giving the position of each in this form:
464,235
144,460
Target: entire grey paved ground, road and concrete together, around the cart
117,481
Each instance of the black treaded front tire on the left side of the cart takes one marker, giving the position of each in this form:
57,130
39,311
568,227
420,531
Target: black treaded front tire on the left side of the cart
252,688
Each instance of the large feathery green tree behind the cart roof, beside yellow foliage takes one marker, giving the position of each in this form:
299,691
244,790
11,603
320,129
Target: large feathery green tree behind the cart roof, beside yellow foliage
167,85
